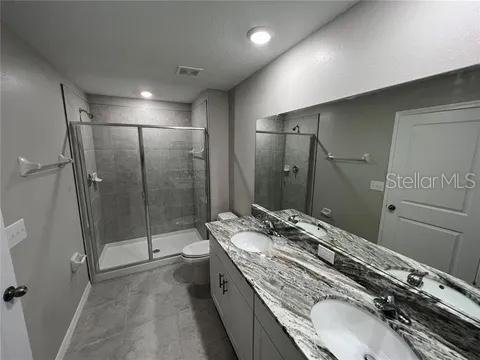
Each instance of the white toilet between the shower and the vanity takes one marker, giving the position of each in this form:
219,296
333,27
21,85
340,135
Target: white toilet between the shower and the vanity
197,255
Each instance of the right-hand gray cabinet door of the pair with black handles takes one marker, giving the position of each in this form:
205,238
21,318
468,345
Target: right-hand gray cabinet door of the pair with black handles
240,320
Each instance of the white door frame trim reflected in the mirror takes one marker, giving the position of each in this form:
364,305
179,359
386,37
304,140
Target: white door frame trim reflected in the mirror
398,116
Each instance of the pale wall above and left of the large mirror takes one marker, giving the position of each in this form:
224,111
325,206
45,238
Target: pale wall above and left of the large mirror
371,46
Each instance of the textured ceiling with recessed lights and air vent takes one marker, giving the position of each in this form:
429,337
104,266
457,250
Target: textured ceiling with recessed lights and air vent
119,48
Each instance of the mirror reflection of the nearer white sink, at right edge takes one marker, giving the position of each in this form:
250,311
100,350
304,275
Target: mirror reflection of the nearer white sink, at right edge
443,292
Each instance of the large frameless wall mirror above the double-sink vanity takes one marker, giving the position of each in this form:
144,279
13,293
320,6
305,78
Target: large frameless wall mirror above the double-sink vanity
399,167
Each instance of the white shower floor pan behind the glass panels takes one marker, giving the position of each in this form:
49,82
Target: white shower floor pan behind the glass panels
135,250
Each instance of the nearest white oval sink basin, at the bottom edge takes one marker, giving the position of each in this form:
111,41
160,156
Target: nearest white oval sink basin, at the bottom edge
350,333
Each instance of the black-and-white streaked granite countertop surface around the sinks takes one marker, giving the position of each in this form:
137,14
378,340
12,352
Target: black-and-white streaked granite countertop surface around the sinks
290,280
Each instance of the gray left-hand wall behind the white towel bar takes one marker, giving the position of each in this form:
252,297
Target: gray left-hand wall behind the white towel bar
33,125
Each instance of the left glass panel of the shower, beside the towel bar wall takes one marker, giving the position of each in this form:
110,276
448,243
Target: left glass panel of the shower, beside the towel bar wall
109,179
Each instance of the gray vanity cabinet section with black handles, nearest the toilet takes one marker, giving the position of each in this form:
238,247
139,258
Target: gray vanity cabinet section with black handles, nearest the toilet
234,309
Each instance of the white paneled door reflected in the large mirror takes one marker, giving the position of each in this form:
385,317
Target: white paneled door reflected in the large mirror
430,220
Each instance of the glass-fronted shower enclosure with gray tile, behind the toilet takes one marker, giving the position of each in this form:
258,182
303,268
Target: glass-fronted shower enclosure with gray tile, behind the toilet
143,192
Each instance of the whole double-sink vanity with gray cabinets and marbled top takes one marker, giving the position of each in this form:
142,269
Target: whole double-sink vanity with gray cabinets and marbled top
268,298
